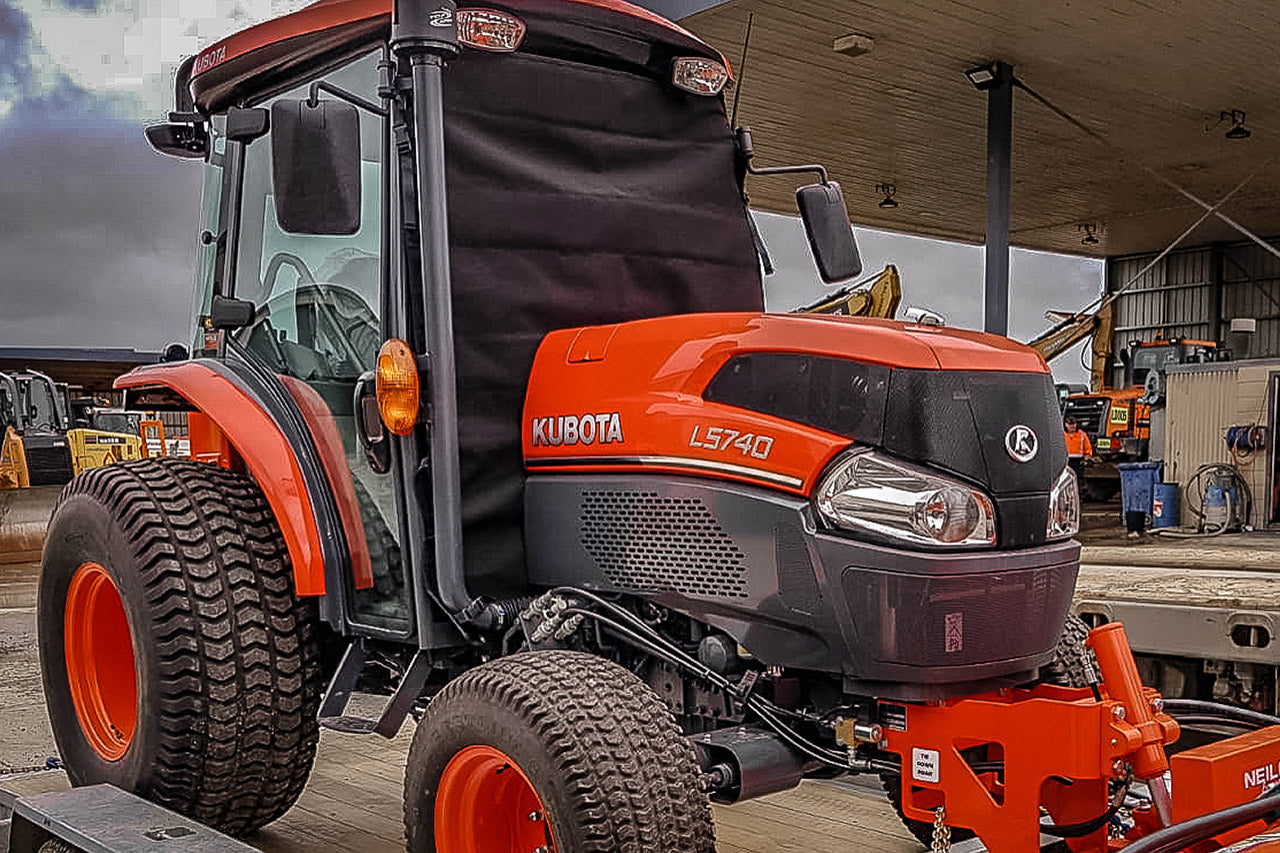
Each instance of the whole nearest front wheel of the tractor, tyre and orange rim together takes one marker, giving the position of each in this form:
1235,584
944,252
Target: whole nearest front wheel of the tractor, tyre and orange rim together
554,750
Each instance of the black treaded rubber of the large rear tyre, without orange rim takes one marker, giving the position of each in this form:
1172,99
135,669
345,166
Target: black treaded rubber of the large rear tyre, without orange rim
227,658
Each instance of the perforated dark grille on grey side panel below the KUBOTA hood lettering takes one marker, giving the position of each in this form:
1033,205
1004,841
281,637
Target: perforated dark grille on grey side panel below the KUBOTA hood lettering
647,541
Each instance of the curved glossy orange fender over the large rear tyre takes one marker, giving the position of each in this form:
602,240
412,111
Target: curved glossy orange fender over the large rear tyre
260,443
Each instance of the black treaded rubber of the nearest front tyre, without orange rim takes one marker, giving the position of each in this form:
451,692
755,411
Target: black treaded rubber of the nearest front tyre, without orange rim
602,750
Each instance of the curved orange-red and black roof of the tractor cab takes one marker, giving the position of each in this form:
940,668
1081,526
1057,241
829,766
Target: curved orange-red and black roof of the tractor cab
285,52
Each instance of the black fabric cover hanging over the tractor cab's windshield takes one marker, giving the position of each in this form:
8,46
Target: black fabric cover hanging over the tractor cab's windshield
579,195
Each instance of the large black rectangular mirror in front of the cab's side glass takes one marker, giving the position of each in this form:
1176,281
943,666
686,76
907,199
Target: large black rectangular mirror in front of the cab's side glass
316,167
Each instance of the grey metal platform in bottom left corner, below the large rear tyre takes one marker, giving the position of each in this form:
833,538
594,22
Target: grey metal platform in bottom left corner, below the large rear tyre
103,819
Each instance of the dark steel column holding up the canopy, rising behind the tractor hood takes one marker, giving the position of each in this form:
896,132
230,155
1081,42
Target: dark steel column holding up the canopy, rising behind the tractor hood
1000,129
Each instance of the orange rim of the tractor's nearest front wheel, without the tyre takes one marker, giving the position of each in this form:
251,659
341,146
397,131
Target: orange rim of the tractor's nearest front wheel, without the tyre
487,805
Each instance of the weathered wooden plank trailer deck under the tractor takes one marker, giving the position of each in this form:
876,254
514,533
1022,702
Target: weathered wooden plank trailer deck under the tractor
354,804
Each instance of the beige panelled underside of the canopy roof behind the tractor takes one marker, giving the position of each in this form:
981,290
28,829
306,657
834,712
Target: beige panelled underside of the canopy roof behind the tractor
1151,77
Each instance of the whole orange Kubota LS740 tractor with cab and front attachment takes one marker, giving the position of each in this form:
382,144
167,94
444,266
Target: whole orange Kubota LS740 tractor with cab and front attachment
492,422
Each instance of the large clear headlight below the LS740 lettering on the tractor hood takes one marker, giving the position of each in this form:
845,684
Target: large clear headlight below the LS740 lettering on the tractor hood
867,492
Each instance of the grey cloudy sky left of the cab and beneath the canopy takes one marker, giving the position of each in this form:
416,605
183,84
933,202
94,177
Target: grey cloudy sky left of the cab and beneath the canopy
98,232
